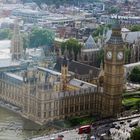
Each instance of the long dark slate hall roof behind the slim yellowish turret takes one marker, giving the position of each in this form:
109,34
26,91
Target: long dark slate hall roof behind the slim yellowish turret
77,67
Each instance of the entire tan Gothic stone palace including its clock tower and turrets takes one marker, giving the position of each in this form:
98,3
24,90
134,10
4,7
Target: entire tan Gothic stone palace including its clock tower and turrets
45,95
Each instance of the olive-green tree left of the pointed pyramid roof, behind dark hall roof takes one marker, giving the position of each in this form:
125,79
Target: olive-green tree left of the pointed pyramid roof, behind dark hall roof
72,46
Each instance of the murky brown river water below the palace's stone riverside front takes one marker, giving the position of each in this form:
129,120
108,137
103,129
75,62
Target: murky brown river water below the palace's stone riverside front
14,127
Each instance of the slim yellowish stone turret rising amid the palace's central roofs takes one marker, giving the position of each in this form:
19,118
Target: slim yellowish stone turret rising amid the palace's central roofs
64,72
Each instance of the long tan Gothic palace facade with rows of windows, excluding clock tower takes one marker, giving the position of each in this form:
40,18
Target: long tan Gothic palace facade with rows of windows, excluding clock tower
43,102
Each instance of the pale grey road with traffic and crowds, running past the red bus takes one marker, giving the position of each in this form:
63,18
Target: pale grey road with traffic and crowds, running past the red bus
121,133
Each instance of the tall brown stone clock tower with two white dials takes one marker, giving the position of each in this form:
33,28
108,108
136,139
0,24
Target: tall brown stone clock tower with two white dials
113,73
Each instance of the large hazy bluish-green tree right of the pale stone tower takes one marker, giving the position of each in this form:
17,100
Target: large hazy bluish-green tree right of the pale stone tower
40,37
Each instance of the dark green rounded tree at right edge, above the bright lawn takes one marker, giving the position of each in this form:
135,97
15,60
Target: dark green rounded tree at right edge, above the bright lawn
135,75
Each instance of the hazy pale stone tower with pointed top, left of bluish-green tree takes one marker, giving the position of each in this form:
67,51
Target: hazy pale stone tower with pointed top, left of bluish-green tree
16,43
